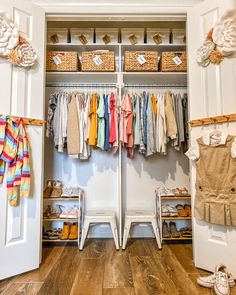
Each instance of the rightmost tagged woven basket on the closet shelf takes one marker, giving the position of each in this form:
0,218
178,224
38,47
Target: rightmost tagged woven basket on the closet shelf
168,64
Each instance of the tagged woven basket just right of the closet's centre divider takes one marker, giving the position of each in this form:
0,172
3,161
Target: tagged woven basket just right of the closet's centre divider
132,62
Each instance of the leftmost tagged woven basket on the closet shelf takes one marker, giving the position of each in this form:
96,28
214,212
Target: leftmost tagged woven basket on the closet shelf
62,61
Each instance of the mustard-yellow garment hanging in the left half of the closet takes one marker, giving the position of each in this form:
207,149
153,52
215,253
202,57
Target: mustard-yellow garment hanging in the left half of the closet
93,120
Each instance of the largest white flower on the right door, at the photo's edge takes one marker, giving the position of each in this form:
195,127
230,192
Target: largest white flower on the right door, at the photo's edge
224,33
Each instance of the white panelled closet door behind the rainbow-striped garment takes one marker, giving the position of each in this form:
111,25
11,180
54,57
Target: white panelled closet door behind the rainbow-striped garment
22,94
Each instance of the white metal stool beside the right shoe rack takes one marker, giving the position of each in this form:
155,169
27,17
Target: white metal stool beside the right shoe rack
140,217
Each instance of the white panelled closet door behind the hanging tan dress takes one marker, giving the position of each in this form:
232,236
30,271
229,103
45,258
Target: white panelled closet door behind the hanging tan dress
211,92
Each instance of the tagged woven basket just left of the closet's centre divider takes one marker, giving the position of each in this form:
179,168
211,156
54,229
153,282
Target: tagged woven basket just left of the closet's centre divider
98,61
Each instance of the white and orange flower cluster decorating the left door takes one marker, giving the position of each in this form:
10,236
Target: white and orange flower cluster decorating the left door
13,46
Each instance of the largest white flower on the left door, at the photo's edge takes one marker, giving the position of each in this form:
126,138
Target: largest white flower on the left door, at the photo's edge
9,36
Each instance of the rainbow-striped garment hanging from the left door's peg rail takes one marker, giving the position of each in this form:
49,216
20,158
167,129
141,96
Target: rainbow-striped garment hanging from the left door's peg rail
14,154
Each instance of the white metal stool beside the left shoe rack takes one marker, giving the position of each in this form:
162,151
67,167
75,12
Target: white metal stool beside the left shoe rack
99,216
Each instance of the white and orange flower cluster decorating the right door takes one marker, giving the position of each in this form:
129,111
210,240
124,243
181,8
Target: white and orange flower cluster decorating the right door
220,41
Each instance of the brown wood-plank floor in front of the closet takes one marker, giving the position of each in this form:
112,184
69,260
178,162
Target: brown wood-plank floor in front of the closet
101,270
